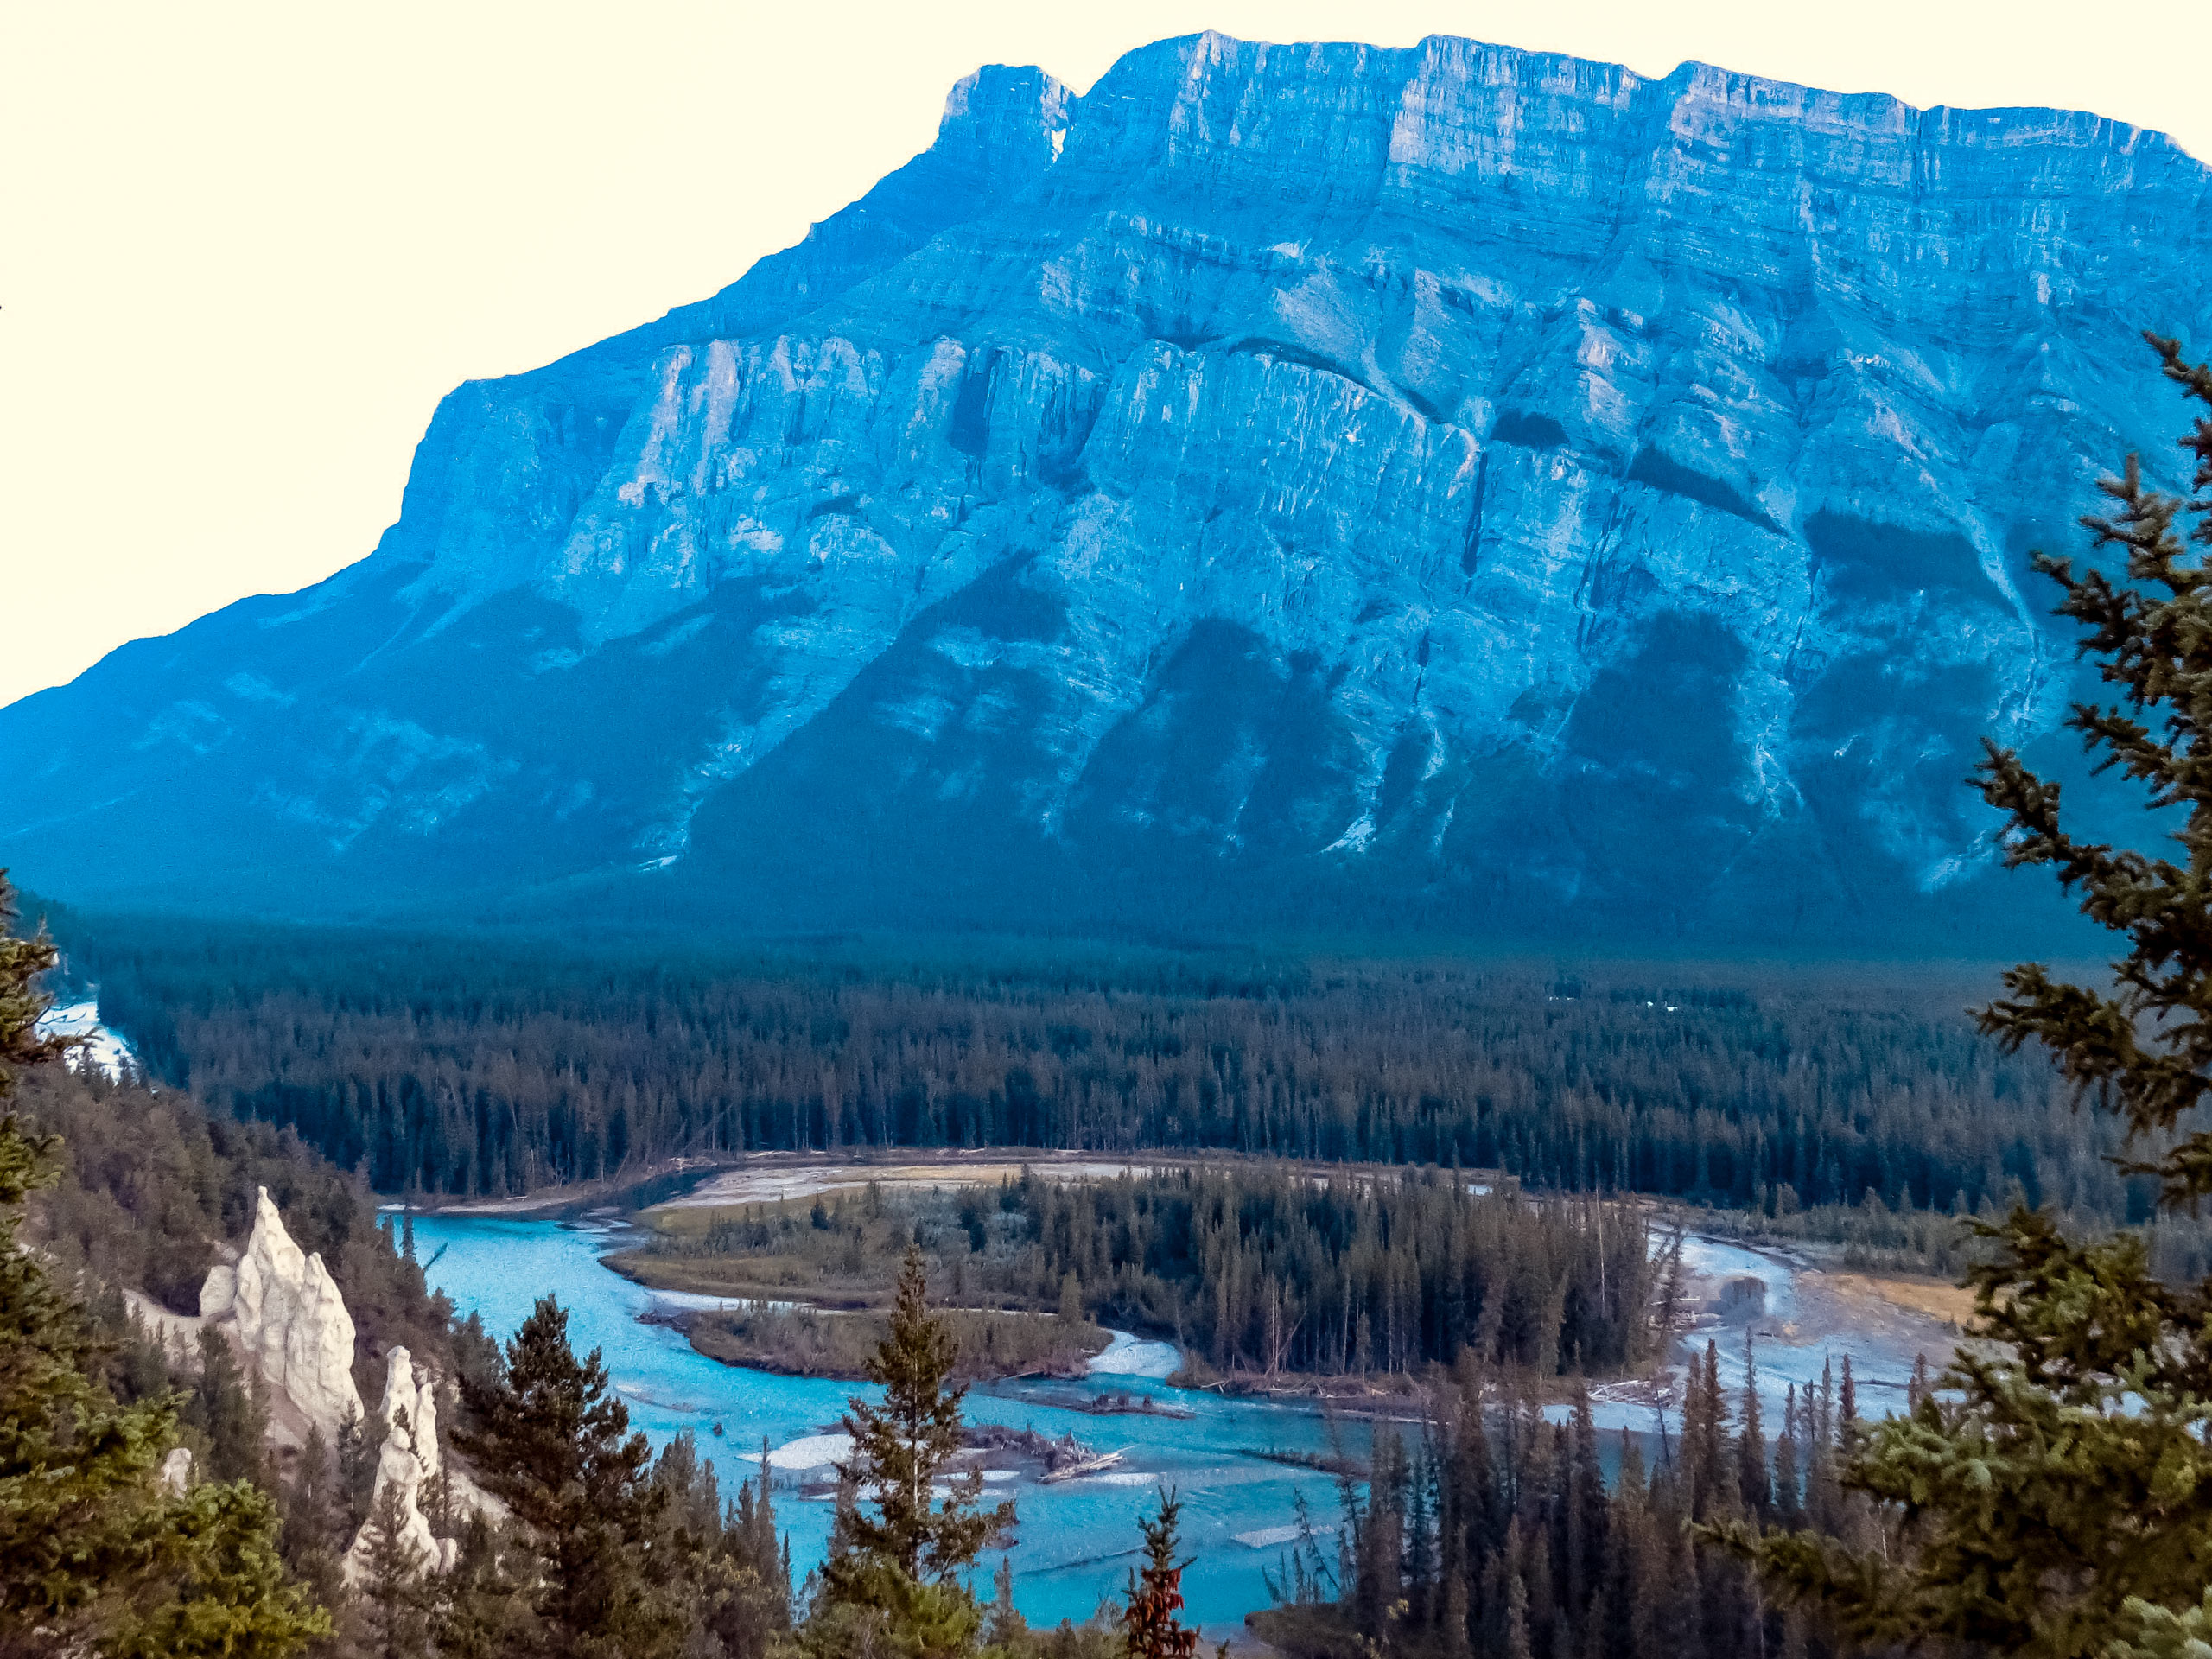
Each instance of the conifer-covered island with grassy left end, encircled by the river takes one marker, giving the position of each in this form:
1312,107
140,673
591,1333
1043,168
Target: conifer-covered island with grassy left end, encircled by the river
1253,1271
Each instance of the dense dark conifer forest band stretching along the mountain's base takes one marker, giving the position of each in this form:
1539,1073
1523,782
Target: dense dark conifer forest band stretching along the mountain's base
499,1067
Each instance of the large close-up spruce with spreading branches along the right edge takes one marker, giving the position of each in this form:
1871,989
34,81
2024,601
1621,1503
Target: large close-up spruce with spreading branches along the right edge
2056,1490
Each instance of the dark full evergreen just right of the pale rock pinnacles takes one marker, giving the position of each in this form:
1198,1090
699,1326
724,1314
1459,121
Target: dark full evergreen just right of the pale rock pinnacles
556,1446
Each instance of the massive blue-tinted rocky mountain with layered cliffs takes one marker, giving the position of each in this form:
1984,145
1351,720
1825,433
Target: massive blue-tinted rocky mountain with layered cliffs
1300,486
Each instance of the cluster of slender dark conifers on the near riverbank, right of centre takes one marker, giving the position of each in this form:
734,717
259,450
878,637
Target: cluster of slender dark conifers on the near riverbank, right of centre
1499,1532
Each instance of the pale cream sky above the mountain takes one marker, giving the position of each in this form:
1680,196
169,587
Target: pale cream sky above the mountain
244,249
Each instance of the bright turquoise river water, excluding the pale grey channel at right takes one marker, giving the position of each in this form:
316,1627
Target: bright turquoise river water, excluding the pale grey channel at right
1076,1541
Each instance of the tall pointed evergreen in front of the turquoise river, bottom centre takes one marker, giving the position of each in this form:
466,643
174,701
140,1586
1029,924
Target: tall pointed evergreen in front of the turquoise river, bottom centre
895,1574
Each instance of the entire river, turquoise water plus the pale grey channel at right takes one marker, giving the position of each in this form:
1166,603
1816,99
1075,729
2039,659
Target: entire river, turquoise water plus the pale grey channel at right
1078,1541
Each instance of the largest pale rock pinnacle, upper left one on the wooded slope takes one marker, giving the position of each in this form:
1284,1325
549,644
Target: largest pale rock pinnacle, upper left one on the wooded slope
291,1326
